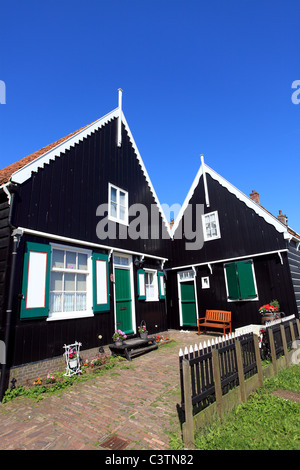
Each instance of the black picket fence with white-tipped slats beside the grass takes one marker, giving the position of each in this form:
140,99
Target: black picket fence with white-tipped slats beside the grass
200,360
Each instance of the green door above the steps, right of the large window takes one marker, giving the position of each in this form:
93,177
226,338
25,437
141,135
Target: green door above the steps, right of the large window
123,300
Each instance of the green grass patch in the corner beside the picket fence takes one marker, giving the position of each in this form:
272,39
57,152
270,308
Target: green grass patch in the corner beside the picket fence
264,422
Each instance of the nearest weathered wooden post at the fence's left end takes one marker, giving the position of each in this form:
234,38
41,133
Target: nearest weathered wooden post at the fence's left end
188,434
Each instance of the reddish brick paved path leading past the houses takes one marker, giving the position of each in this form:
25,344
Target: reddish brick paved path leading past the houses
135,401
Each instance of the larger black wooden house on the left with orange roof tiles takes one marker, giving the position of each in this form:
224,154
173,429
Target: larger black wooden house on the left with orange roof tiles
78,260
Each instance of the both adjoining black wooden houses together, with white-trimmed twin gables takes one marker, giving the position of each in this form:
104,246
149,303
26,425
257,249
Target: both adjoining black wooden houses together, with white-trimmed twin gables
85,248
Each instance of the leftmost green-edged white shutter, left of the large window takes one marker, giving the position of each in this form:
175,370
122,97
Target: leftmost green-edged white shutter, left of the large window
36,278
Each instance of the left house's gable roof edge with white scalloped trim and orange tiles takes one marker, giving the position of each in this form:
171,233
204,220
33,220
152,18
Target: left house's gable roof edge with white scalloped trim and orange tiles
22,170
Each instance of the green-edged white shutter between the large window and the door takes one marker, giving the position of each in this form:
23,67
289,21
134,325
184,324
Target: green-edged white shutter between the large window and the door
101,300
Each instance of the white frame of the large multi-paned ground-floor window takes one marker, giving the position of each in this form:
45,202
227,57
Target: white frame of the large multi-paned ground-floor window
89,287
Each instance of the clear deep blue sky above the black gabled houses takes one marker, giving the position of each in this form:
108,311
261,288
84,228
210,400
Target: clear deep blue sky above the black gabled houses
210,77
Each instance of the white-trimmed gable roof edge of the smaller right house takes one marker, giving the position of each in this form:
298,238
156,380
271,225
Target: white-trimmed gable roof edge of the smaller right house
205,169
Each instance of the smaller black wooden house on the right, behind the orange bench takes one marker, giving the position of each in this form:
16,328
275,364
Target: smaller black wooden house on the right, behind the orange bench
240,263
